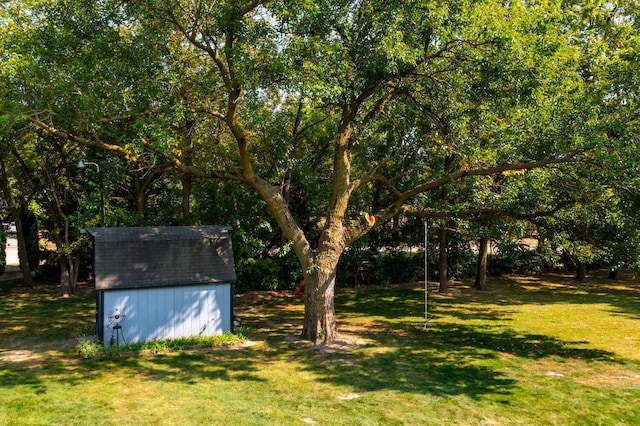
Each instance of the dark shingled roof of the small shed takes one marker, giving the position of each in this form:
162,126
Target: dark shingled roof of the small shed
161,256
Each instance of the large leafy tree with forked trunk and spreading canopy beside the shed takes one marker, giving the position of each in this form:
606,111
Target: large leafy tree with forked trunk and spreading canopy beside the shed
362,108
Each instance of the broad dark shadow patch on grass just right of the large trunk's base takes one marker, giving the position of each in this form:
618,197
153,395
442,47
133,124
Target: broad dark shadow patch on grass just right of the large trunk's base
443,360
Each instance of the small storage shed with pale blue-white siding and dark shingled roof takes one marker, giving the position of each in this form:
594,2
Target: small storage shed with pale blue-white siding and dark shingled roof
162,282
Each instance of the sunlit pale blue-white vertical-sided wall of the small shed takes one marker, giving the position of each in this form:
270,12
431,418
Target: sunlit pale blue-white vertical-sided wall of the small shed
169,312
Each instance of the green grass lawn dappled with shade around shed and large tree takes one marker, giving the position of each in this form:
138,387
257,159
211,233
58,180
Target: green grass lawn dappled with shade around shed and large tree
533,350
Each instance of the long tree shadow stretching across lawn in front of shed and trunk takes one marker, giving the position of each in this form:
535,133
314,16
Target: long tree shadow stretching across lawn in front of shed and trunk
446,360
